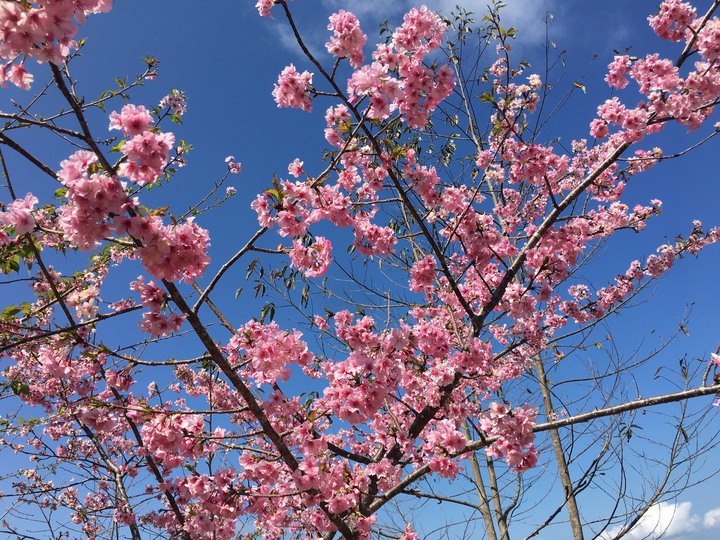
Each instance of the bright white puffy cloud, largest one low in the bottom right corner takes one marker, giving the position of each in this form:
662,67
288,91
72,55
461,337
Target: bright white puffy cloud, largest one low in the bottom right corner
662,520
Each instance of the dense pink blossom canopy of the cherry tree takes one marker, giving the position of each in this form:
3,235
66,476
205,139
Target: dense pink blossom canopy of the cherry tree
487,275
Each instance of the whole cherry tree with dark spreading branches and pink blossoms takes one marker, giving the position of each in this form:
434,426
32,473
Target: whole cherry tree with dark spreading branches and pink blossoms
142,407
